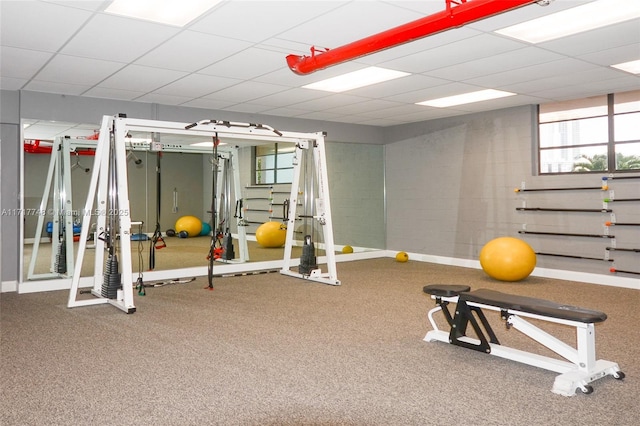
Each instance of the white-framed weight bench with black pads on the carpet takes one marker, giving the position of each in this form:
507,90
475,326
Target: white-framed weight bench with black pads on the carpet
580,368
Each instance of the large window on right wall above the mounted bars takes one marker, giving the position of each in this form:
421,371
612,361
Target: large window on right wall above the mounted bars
600,133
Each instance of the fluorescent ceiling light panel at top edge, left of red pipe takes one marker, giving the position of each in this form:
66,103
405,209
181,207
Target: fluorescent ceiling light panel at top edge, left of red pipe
171,12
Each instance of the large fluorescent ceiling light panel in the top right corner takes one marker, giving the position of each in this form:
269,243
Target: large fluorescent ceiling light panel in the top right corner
573,21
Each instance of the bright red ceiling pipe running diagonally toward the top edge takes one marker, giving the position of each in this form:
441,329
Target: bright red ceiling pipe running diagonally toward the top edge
457,14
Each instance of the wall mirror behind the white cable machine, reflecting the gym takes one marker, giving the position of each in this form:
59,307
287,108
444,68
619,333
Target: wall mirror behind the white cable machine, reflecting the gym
170,195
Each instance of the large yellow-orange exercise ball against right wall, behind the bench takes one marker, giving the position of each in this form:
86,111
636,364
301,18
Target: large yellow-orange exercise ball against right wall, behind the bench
507,259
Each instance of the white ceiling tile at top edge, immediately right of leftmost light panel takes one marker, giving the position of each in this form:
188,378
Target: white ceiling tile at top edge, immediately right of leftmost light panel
256,21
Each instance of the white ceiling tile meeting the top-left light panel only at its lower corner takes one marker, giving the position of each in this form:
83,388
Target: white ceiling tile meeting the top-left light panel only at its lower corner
191,51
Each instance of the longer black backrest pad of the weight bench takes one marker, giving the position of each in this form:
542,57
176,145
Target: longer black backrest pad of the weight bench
533,306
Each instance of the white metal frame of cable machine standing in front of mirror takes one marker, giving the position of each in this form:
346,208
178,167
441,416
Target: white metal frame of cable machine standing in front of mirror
210,128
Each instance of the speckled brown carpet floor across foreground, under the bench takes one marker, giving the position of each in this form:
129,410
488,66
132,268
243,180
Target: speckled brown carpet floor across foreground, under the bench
275,350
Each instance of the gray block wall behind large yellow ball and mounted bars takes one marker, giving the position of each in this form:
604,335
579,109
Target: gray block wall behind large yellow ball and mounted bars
450,190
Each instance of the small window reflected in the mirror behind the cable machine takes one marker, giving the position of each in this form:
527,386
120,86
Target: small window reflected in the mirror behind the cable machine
273,163
